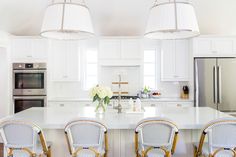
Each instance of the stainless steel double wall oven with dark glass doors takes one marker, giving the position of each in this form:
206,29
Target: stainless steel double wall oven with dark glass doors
29,85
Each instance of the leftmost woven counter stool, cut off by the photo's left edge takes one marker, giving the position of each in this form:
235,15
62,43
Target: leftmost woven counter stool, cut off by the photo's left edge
24,139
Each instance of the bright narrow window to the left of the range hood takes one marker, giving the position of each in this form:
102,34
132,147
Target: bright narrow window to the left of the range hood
91,76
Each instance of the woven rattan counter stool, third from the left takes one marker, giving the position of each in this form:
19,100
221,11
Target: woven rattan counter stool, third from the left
155,137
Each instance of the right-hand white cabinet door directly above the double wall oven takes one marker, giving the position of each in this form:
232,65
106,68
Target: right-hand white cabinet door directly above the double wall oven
39,48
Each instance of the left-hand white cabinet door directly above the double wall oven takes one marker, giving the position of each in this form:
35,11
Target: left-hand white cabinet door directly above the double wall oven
21,49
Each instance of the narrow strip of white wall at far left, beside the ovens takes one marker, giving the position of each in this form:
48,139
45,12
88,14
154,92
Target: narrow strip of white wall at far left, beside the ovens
4,88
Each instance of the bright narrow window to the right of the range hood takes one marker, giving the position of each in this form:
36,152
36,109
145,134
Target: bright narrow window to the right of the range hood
149,68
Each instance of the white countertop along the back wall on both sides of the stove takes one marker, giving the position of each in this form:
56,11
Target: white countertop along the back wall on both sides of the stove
161,99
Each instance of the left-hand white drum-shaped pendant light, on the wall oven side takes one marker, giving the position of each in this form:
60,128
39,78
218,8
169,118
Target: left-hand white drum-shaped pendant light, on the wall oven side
67,20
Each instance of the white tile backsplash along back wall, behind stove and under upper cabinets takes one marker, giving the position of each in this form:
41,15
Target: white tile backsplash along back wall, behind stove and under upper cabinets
109,75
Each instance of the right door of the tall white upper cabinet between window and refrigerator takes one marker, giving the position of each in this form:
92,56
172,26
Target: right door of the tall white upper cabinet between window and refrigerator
181,60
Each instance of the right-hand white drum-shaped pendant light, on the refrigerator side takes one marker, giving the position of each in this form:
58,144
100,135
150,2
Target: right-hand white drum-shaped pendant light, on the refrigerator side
172,20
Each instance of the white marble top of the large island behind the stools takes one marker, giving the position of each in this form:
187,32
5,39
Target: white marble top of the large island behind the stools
57,117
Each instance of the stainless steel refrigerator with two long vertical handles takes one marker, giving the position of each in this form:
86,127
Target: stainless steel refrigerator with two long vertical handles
215,83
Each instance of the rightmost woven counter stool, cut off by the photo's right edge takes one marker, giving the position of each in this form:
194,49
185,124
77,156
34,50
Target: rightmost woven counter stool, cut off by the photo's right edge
221,134
